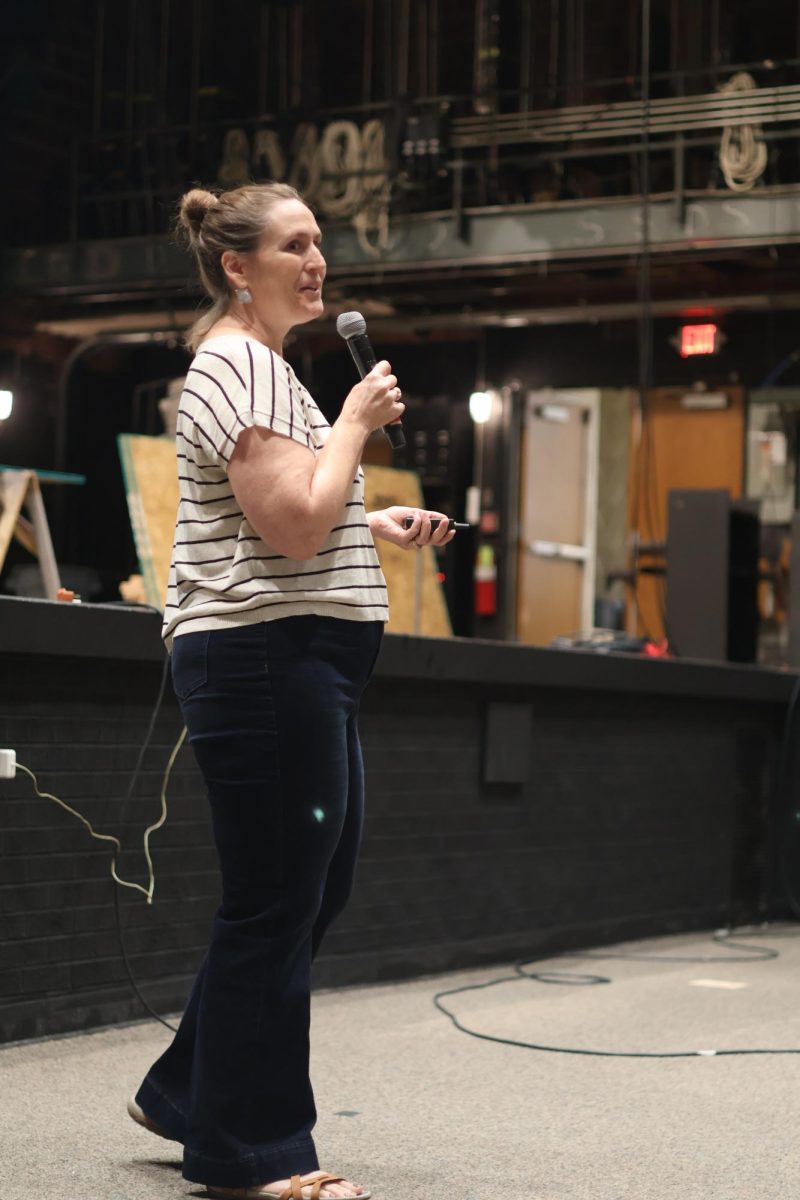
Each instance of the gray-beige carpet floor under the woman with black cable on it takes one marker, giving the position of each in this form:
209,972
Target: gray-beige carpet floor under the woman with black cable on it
418,1111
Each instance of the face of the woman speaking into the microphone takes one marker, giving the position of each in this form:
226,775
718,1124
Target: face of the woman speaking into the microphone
286,272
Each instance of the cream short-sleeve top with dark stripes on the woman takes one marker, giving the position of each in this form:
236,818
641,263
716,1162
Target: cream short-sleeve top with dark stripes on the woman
222,573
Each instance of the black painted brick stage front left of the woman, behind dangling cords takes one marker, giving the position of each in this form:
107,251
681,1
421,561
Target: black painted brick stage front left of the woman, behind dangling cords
80,724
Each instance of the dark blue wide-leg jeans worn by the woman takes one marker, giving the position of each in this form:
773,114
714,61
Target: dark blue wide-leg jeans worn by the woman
272,713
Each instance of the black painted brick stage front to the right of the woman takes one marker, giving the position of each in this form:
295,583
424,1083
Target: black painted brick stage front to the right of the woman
641,815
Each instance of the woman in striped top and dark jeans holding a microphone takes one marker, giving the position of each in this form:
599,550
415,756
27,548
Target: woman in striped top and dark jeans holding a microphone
274,619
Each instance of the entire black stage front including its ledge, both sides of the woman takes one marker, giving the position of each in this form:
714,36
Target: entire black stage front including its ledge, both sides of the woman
520,802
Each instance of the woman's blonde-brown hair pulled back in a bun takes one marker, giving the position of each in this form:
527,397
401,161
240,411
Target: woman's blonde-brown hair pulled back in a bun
215,223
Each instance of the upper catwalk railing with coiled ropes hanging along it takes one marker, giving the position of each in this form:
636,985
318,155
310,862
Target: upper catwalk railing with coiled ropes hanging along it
127,183
